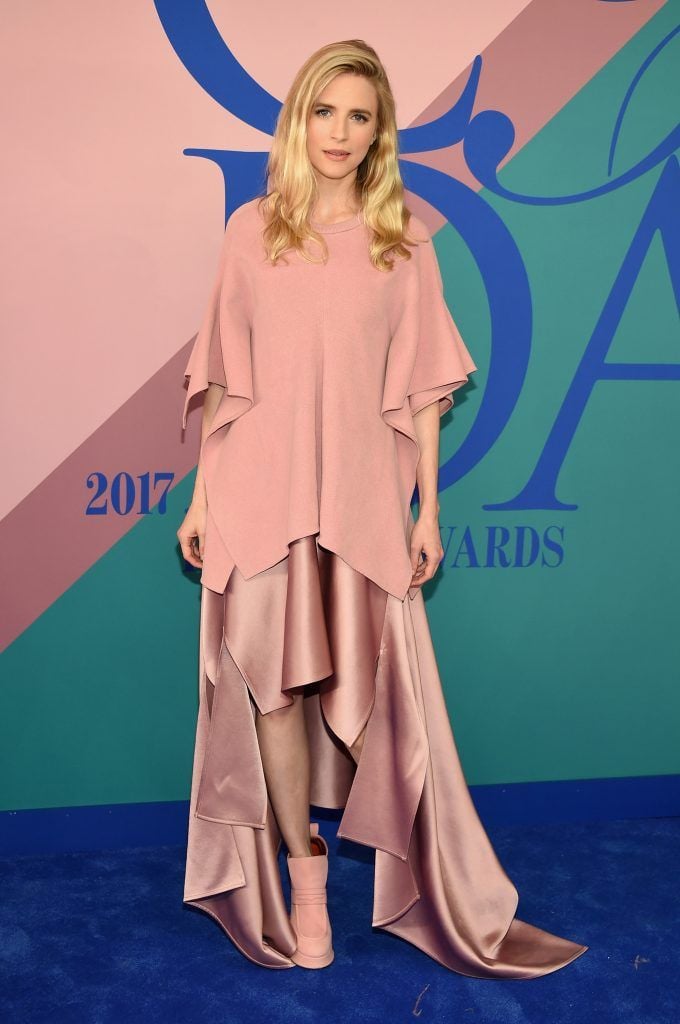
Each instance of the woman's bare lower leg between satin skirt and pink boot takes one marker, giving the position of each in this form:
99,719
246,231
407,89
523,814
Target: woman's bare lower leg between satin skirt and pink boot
285,753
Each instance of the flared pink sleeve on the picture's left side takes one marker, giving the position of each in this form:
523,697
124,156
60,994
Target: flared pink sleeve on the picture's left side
221,354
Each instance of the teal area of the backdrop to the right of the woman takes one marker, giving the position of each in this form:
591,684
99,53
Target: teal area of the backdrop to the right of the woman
570,668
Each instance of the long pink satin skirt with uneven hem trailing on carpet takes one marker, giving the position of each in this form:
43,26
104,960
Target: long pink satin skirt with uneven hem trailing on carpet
363,657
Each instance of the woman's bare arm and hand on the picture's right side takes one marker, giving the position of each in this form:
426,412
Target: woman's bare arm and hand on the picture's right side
426,536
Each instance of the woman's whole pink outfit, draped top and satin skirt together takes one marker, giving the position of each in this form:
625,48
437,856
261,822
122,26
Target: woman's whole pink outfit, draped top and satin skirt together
310,470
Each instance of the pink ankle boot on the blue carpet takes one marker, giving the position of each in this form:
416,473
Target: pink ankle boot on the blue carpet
309,905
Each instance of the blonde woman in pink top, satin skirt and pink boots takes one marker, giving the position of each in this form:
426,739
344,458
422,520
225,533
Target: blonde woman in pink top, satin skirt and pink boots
327,357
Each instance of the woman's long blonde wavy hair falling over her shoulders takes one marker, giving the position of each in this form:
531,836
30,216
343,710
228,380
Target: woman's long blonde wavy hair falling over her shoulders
291,183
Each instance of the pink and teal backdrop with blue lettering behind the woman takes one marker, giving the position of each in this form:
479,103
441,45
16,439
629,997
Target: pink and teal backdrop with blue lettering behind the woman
539,142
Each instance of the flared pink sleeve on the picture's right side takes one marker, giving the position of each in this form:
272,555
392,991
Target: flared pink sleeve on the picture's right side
442,362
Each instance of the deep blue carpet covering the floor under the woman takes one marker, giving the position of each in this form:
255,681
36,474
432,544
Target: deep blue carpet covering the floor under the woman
104,938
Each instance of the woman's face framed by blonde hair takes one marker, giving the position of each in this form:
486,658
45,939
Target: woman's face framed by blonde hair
343,119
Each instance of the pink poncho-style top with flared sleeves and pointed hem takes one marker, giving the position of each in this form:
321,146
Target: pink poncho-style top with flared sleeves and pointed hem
324,366
